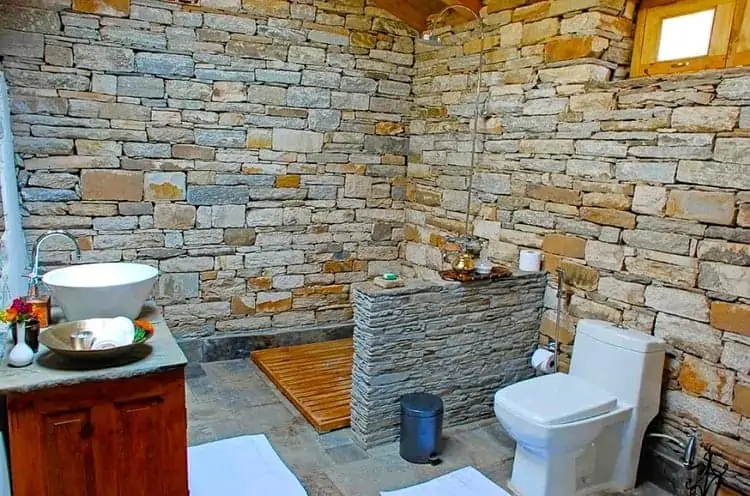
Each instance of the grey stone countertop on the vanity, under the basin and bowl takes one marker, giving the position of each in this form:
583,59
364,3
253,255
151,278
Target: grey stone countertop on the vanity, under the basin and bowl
49,370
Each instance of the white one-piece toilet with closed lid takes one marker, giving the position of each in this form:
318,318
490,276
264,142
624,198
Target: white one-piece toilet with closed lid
581,432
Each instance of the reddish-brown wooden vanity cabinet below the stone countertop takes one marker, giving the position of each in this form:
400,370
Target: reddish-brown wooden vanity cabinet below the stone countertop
123,437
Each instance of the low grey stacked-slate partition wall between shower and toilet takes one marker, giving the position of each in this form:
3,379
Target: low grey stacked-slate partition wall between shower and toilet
461,342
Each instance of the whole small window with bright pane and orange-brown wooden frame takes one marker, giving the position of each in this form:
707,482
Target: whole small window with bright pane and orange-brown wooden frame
690,35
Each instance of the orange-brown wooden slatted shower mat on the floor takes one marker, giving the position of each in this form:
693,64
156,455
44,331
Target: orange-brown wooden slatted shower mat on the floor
316,378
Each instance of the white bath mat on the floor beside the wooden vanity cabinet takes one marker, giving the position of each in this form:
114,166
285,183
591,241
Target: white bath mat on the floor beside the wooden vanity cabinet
240,466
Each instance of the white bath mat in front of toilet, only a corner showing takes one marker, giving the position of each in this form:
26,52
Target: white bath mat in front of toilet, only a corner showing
464,482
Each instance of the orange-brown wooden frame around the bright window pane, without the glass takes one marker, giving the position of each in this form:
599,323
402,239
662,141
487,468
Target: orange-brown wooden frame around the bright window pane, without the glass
729,43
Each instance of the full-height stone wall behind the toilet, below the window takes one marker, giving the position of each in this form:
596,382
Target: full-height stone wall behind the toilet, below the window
639,190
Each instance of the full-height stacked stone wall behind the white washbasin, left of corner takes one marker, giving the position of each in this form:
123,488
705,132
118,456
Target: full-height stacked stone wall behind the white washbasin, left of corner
253,152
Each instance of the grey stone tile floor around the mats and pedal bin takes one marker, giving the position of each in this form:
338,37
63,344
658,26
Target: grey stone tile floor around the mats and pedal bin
233,398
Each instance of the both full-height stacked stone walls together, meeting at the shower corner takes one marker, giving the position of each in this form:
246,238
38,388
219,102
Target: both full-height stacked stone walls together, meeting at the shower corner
256,152
